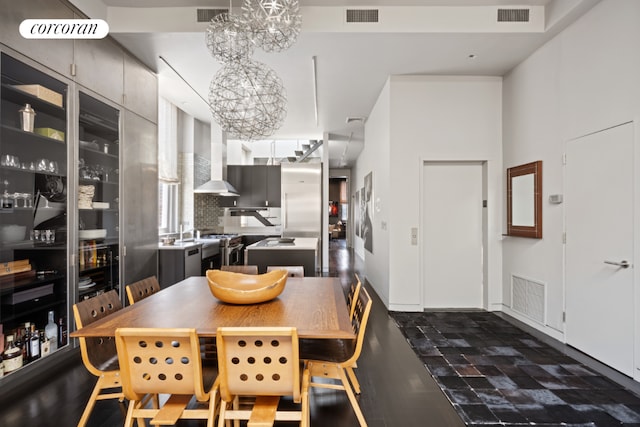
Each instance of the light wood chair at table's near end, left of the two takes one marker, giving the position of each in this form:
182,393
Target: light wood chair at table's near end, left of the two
164,361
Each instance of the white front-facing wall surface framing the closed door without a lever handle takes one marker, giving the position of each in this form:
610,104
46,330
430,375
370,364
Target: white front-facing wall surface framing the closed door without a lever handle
439,118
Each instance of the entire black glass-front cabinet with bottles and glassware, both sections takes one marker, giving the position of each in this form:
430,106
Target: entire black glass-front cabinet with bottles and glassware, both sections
59,224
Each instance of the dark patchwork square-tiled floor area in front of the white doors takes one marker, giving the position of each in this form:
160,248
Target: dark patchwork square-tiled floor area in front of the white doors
494,373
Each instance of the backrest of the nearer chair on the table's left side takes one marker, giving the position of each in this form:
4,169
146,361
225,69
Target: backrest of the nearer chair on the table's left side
98,354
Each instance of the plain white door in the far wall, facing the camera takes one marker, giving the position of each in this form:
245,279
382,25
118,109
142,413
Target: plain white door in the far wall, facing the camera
452,235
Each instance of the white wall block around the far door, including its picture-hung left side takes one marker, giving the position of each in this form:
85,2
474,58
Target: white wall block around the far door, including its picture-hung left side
420,118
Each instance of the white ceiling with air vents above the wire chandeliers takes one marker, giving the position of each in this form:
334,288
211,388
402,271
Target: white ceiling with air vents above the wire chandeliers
353,61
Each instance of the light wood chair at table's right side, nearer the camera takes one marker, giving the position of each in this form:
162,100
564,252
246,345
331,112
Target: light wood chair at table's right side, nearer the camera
337,365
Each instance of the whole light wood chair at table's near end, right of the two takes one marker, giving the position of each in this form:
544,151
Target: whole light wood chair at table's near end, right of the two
260,362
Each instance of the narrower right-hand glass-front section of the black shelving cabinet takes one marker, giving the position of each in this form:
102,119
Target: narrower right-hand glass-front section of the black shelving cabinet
98,197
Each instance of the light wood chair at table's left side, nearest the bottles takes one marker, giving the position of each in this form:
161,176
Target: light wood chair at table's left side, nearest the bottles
99,355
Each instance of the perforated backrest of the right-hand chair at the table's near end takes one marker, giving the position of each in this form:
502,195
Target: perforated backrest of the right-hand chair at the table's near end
258,361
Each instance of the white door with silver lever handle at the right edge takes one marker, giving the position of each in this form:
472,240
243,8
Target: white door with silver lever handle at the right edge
599,227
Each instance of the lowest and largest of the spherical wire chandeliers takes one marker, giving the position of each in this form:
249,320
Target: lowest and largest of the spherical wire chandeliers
247,99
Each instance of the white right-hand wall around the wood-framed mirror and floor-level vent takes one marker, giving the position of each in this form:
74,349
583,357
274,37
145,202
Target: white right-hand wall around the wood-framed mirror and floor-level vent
586,79
